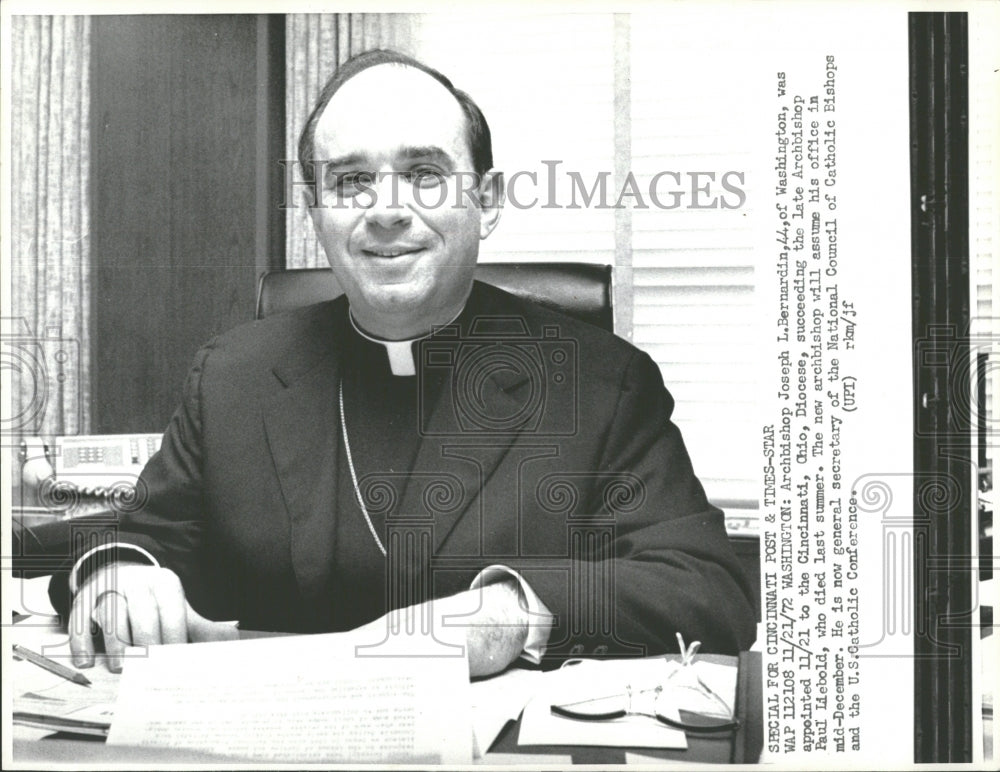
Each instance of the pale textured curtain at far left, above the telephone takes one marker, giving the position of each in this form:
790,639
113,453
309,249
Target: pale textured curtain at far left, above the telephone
47,341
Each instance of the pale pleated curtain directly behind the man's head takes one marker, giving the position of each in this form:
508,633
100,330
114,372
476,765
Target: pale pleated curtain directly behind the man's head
316,44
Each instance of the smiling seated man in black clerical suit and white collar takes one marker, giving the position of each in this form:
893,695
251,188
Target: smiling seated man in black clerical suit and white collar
421,437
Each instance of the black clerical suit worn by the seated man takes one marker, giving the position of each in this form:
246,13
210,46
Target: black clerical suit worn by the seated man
526,439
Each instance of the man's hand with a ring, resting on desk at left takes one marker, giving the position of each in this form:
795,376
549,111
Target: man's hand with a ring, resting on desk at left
136,604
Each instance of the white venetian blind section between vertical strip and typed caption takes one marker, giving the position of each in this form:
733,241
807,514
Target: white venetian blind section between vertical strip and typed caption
693,268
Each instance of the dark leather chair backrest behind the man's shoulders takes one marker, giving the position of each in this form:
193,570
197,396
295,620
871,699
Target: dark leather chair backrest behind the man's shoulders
581,290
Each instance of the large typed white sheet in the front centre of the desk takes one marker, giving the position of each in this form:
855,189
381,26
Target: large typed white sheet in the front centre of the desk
300,699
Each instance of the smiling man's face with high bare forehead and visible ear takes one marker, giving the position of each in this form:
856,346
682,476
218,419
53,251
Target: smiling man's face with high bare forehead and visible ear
400,221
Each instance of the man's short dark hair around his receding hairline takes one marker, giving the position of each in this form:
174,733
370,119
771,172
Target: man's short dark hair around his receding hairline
477,130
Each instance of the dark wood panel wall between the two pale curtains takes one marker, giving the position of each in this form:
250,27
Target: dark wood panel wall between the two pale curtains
184,198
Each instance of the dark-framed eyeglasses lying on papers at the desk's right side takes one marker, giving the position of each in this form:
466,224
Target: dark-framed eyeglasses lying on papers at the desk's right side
660,702
